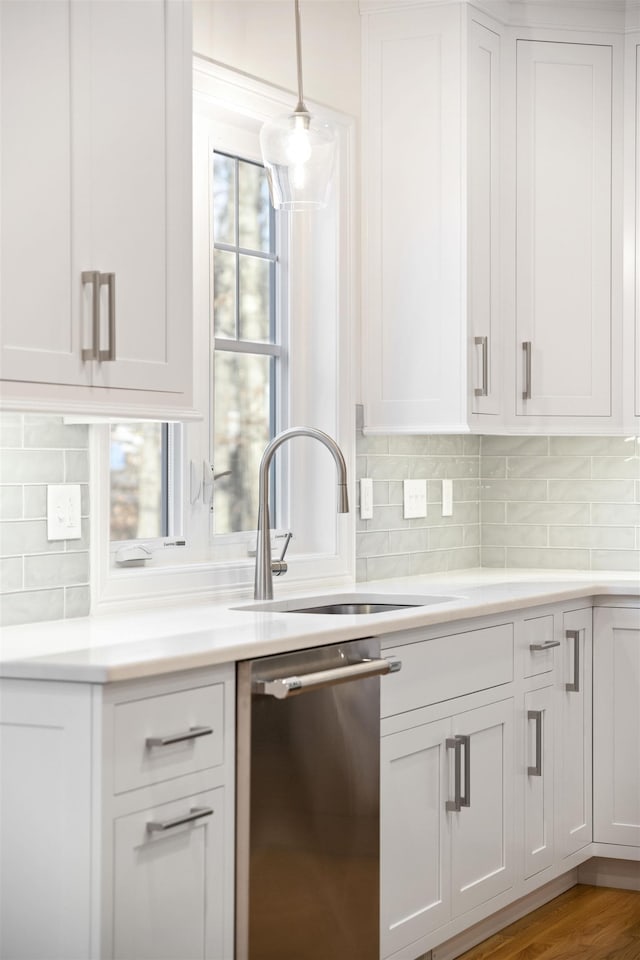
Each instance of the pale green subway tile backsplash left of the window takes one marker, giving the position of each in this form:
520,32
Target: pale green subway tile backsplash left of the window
40,579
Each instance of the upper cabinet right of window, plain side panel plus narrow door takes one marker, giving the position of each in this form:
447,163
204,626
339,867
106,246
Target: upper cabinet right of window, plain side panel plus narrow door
415,330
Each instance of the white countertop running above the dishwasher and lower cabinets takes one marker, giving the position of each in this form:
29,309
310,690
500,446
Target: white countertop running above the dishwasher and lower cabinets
183,636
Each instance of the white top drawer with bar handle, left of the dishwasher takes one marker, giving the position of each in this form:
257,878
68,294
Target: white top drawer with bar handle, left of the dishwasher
160,738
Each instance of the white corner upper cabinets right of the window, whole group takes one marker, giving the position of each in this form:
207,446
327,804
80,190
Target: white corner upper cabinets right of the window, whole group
495,223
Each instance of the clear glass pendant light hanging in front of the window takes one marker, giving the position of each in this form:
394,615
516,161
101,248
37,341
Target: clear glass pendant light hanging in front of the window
298,151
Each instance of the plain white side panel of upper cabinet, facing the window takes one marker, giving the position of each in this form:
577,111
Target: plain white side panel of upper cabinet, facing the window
414,367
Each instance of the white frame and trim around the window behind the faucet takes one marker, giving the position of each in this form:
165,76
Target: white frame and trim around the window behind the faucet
325,249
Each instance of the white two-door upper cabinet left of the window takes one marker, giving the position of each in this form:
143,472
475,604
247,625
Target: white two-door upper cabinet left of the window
96,205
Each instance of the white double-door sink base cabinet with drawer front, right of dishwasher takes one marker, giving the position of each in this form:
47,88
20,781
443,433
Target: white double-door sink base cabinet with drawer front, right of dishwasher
447,772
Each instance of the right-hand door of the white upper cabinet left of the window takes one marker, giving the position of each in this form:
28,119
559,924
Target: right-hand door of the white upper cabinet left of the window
132,135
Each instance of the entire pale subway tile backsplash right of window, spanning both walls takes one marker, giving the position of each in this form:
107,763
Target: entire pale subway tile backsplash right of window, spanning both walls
548,502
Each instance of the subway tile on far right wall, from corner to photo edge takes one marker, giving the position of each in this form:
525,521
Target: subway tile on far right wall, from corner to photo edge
560,502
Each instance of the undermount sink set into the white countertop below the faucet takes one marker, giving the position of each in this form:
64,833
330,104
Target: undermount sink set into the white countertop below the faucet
346,604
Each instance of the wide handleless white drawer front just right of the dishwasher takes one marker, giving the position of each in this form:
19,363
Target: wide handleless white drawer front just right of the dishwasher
448,667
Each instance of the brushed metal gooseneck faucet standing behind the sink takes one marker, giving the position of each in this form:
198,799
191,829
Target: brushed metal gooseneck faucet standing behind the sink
263,589
